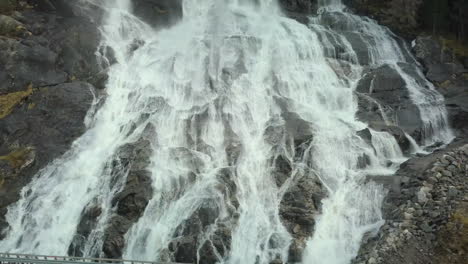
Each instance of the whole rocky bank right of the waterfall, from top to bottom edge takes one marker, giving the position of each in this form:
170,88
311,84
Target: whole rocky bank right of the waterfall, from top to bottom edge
426,210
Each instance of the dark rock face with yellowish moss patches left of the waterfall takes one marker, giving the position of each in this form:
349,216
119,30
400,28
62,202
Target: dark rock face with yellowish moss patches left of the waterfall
45,60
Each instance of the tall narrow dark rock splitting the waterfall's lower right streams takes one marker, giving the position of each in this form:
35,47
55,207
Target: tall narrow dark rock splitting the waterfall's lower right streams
303,190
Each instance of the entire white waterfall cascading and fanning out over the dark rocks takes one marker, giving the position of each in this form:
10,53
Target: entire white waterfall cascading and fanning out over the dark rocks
213,82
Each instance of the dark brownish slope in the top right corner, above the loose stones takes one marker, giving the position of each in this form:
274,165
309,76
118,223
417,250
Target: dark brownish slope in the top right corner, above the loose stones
442,56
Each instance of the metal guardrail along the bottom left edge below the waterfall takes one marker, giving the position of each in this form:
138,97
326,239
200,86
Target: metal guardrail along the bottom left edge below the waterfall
13,258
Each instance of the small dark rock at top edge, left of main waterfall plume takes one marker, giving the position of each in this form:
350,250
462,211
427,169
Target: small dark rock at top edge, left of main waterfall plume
158,13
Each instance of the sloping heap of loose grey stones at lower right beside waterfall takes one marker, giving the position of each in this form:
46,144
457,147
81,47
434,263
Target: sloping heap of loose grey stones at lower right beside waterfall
426,216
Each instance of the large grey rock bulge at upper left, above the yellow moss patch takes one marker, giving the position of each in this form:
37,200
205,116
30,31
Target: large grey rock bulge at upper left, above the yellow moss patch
57,50
